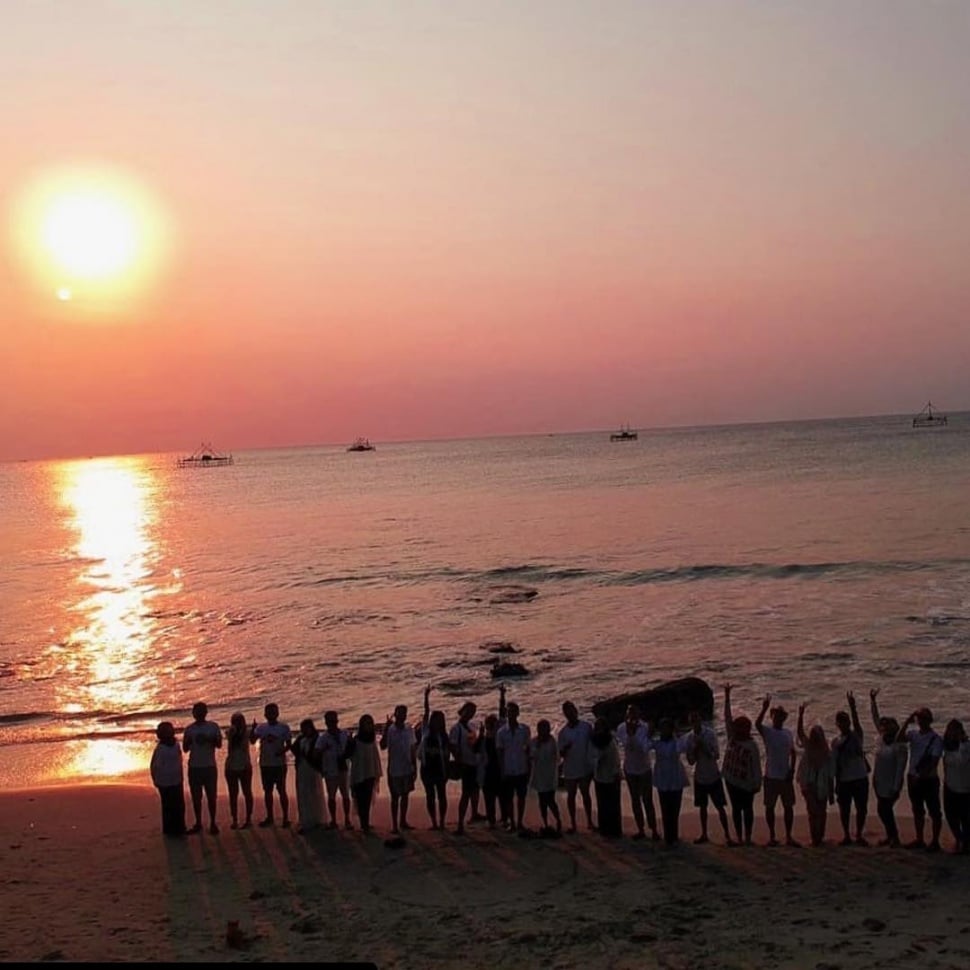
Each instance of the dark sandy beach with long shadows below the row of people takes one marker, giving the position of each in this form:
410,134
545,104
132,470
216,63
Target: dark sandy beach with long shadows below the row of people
87,876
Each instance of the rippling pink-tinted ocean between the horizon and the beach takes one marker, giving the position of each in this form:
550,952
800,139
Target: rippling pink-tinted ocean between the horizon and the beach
802,559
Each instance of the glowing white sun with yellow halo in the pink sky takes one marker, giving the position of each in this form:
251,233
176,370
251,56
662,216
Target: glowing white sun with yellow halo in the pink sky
90,235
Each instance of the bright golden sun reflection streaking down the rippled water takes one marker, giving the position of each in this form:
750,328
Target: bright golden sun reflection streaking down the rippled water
105,667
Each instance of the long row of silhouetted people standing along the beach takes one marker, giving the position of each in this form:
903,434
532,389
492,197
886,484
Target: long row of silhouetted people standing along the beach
498,760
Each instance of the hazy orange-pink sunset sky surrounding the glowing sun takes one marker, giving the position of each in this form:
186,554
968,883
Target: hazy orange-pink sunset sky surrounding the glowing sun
423,219
